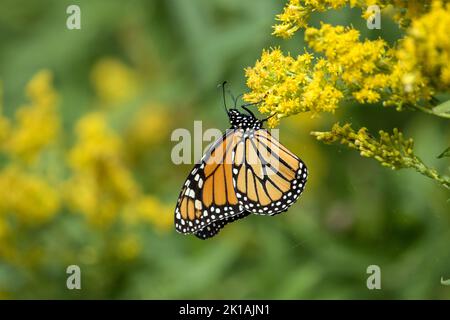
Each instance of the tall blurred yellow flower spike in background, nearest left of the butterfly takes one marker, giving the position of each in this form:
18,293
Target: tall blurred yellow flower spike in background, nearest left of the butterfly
101,183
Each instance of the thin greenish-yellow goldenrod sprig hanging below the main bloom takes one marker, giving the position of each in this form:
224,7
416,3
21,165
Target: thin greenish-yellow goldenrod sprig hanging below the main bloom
391,150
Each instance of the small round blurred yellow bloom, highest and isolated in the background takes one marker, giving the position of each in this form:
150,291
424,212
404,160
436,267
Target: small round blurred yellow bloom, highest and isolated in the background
114,82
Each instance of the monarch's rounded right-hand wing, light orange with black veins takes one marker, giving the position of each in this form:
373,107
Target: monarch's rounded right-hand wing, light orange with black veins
268,178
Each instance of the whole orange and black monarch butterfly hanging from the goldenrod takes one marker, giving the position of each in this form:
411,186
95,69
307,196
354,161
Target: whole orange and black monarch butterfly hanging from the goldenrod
246,171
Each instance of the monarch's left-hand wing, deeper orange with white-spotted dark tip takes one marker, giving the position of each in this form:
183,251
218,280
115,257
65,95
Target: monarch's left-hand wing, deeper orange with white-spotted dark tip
208,194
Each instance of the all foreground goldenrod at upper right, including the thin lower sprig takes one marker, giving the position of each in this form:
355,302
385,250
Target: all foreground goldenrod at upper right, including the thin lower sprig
344,67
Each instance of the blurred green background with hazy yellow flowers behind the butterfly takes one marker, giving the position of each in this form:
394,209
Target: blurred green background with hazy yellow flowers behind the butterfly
99,190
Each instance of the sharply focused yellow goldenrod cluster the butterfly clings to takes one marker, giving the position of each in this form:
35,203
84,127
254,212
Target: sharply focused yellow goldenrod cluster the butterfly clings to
287,85
